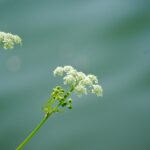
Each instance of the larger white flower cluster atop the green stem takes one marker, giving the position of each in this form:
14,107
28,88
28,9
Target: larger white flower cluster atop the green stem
81,83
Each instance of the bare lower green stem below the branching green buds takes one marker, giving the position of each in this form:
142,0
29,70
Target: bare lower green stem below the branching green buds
20,147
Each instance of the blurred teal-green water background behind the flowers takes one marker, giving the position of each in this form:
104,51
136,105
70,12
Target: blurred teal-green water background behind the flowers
108,38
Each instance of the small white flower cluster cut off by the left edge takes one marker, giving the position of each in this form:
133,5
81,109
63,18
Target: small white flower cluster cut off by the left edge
8,40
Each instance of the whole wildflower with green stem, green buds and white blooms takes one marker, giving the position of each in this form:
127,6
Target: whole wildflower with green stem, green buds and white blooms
60,97
